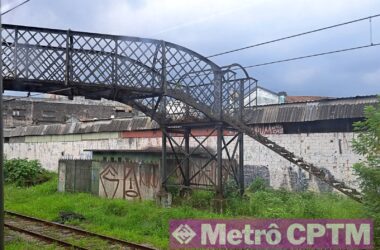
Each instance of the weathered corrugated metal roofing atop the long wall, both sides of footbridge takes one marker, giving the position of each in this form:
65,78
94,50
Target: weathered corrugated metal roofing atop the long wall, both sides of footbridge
340,108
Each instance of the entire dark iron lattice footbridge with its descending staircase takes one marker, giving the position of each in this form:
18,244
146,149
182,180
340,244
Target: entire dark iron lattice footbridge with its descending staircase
175,86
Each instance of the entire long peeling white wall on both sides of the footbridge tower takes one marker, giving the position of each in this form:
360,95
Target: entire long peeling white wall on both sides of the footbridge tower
332,151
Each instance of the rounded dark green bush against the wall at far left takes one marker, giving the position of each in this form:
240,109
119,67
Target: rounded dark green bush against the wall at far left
24,172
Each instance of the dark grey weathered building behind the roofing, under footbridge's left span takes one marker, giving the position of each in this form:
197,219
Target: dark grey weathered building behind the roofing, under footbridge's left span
37,111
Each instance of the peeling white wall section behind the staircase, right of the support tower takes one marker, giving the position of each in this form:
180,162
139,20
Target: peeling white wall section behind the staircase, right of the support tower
331,151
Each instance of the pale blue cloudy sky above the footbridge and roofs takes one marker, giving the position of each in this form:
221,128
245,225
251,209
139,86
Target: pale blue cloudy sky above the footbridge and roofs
212,26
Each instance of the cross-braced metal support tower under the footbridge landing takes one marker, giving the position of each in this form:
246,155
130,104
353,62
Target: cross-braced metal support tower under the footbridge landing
200,166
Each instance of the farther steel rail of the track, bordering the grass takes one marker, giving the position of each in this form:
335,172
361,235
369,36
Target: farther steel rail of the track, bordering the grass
131,245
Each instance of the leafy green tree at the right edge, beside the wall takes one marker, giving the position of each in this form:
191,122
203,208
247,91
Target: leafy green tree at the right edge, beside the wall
367,144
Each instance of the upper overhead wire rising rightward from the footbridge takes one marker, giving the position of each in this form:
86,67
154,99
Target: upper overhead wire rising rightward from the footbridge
293,36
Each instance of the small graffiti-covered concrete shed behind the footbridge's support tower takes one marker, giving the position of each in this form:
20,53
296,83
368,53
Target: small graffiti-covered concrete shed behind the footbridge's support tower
127,174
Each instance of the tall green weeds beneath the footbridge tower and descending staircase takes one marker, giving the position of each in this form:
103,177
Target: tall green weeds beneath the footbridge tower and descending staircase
260,201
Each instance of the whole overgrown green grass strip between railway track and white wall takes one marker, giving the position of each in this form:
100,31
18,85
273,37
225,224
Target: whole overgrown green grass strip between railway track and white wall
144,222
